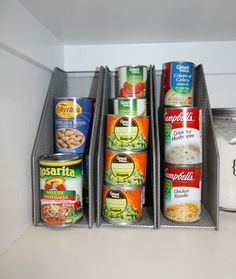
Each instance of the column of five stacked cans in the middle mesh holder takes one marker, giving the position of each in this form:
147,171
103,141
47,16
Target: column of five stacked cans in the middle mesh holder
126,149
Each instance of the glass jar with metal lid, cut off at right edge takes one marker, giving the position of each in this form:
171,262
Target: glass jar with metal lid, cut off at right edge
225,128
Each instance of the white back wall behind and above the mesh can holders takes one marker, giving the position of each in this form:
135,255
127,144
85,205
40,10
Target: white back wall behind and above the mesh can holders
218,59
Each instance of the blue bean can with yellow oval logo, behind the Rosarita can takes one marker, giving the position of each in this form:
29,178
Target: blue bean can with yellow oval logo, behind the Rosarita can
73,120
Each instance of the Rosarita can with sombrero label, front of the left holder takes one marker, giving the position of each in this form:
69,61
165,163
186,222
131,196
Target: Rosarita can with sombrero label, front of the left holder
61,189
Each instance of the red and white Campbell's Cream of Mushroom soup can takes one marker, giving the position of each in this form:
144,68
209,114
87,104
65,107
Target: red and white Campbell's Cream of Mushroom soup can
183,135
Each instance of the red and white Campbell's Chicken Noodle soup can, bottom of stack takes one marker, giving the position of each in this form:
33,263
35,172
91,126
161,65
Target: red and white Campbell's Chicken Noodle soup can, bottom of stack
182,192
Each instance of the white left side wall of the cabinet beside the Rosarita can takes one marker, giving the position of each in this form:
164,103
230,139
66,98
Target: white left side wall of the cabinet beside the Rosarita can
23,87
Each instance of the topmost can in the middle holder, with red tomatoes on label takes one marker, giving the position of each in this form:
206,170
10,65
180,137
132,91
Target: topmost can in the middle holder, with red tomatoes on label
132,81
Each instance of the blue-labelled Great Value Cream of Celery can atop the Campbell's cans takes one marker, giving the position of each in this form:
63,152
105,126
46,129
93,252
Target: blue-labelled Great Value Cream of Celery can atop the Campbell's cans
178,84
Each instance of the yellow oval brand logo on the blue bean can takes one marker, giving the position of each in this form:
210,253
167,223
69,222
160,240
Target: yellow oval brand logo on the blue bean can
68,109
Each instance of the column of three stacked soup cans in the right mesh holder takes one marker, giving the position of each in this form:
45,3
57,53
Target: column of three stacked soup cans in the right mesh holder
183,144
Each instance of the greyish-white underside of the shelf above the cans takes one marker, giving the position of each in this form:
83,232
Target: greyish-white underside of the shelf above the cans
79,22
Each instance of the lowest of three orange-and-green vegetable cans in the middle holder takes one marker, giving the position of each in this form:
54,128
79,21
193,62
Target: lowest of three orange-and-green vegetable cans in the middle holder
122,205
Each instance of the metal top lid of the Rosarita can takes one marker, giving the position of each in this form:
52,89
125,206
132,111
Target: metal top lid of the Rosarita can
59,158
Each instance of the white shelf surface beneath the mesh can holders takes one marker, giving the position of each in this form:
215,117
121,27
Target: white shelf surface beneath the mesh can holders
43,252
